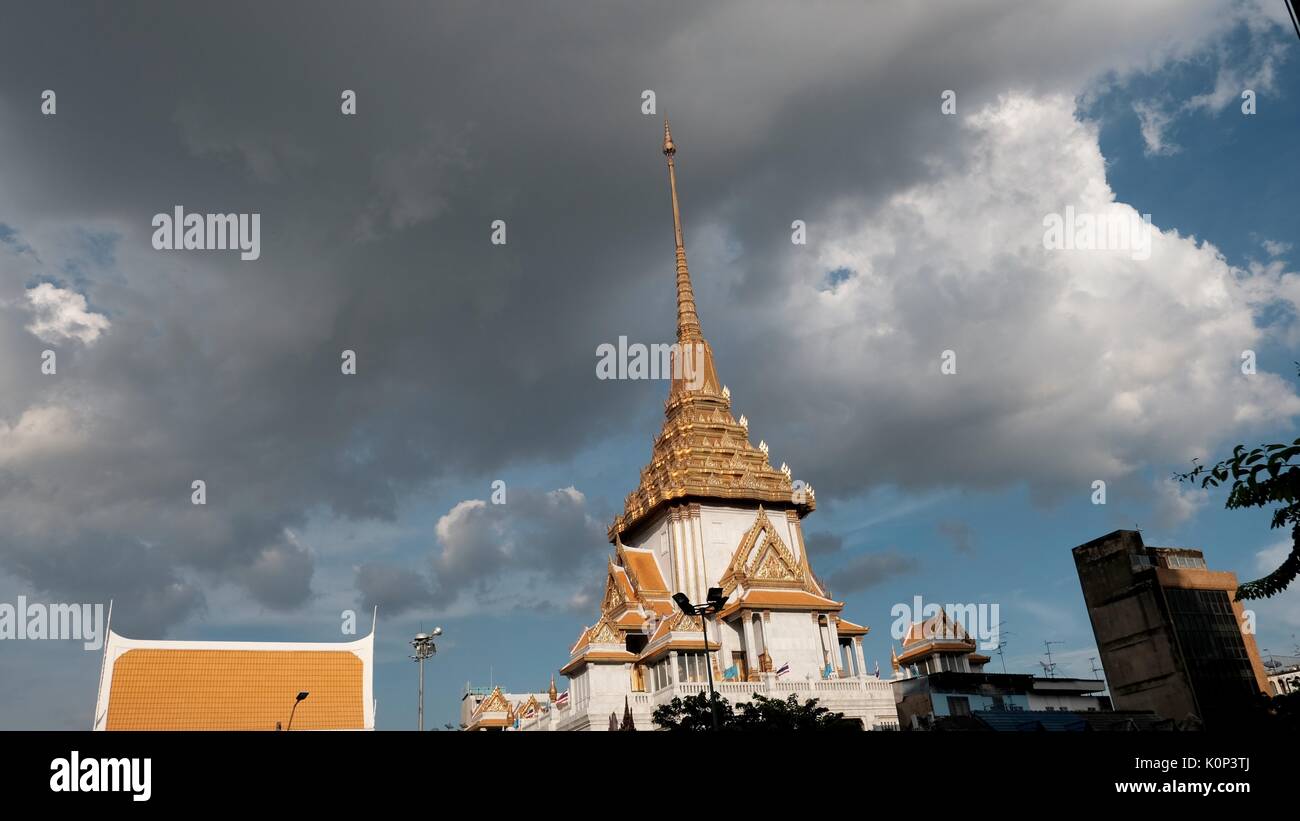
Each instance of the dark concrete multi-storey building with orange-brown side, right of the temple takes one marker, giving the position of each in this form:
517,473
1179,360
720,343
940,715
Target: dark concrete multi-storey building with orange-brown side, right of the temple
1169,631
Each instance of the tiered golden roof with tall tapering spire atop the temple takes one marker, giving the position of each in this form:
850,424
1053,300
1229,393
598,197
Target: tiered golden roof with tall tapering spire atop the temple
703,451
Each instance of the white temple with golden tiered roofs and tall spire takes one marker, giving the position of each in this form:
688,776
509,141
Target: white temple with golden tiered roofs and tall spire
709,511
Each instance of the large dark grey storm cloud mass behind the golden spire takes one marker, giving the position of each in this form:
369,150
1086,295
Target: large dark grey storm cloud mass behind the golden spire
471,358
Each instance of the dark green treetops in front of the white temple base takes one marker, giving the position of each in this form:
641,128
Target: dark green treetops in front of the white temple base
761,714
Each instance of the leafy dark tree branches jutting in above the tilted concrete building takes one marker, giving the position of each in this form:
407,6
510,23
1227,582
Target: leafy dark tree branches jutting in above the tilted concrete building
1262,477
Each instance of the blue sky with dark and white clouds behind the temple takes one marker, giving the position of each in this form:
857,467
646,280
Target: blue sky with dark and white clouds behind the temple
476,362
